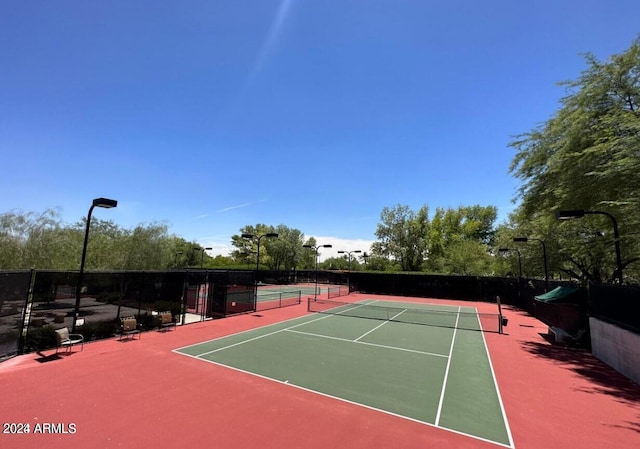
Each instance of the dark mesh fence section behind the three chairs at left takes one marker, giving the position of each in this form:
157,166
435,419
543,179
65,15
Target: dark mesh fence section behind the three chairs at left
104,298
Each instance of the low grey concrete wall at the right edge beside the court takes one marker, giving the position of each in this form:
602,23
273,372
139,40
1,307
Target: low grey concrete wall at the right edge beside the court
617,347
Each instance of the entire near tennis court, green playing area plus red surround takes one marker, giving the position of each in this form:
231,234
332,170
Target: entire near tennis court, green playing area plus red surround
289,378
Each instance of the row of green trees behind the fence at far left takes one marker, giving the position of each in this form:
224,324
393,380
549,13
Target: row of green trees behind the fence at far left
31,240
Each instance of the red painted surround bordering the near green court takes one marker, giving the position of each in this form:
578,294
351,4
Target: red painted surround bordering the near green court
139,394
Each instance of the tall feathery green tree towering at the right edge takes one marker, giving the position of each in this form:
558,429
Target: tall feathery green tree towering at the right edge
587,156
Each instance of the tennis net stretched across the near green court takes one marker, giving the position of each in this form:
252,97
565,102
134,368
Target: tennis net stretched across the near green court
487,322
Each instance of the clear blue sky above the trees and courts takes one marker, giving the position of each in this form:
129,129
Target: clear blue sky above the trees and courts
211,115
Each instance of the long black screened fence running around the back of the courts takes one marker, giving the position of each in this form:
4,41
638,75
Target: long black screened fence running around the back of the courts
35,303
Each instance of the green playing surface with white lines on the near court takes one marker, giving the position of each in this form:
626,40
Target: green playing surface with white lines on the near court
436,374
